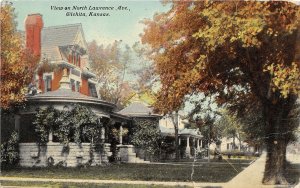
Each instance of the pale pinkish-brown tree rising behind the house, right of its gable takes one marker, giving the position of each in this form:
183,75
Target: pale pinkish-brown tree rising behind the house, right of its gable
110,64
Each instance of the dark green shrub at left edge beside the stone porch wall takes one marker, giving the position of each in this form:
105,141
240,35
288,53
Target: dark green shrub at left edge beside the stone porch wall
10,150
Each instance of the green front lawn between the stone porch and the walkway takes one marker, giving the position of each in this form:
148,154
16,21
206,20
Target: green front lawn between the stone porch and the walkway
213,172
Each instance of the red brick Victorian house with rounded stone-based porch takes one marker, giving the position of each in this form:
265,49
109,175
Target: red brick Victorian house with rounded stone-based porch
64,78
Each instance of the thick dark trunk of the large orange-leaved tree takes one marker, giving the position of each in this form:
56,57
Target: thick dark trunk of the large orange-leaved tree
278,135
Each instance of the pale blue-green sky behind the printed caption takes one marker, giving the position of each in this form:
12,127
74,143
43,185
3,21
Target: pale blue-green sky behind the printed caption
120,25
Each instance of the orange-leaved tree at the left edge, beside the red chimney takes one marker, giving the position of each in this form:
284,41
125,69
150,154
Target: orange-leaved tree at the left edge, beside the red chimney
17,63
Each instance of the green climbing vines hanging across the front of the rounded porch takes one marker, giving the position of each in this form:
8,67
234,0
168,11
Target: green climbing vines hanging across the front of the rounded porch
79,124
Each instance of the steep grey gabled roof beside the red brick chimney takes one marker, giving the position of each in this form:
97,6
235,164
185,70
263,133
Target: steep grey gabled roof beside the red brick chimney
55,36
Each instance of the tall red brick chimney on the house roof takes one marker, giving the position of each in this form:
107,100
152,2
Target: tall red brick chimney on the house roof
33,27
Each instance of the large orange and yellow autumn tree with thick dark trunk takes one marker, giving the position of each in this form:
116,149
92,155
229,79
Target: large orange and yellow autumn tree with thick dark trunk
243,52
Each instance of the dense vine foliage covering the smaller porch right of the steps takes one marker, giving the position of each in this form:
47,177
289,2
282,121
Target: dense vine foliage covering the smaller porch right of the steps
146,135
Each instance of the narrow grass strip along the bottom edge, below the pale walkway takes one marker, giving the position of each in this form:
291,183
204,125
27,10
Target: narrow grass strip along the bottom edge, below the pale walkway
79,185
